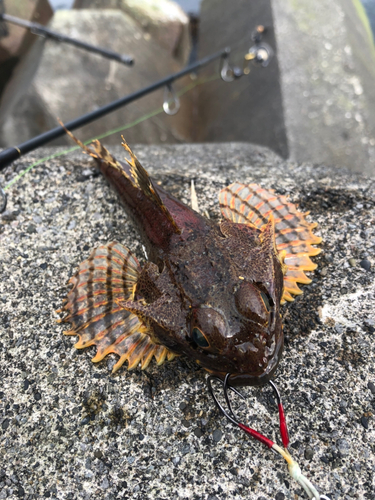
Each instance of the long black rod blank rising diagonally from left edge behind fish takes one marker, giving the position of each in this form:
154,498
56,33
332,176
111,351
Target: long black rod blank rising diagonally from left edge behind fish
10,154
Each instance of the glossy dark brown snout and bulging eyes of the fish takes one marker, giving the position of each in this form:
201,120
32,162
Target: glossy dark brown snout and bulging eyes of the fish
244,338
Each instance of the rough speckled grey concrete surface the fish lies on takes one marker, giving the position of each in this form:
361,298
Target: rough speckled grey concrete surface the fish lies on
69,430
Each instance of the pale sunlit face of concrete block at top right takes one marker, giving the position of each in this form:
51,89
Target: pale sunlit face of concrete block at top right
327,61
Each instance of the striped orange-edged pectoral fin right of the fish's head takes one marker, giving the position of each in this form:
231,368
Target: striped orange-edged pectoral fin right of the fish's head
251,204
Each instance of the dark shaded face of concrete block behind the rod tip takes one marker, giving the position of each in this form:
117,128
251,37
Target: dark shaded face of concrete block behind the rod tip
248,109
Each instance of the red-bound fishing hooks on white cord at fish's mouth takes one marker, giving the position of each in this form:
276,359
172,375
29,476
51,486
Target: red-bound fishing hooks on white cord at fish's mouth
293,467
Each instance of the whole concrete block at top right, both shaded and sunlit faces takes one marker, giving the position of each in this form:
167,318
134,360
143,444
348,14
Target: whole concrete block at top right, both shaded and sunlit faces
316,99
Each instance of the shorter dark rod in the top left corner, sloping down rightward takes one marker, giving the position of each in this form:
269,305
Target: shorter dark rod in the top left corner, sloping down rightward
40,30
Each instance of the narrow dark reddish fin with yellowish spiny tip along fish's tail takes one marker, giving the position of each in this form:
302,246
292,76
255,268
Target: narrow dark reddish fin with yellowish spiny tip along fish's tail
143,181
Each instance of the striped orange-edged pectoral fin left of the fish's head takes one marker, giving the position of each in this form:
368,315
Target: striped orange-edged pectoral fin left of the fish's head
108,275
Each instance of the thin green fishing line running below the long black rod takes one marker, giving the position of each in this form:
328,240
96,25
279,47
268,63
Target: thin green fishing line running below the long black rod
122,128
